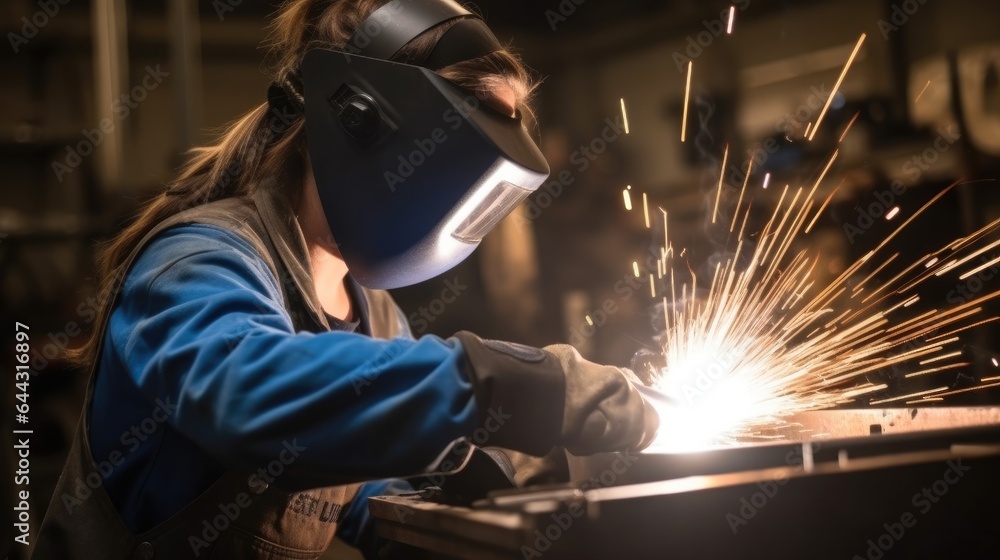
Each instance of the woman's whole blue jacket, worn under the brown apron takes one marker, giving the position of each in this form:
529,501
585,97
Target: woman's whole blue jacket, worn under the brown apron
202,371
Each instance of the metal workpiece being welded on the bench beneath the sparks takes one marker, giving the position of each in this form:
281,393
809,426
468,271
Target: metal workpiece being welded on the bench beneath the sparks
917,489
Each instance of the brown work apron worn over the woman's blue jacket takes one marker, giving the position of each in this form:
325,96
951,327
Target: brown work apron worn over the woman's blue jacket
240,516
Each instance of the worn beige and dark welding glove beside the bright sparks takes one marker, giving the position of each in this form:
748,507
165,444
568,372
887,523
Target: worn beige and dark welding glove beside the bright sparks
532,399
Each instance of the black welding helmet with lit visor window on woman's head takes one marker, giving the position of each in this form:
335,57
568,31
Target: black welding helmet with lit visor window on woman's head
412,170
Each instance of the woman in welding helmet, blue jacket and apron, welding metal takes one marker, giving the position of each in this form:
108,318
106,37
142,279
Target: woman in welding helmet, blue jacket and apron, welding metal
243,381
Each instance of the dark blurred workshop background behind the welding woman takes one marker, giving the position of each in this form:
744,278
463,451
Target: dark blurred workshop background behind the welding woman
101,99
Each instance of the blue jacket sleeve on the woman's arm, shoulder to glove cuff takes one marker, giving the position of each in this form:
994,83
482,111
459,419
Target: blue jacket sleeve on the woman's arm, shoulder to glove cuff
203,326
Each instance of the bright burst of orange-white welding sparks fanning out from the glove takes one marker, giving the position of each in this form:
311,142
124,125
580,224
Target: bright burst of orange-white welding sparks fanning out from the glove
768,341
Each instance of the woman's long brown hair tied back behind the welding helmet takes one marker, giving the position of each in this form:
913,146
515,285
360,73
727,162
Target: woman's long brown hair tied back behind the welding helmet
247,150
